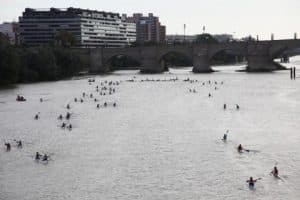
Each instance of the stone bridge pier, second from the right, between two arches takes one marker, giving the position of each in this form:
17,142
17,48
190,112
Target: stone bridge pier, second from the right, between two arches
201,61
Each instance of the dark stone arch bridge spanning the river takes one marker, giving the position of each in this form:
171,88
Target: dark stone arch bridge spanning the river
259,54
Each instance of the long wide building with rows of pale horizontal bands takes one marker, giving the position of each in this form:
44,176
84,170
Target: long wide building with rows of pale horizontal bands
91,28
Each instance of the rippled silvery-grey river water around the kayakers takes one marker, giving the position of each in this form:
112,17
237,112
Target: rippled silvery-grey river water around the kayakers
160,142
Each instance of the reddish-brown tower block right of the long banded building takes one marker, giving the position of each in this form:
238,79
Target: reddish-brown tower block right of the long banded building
148,28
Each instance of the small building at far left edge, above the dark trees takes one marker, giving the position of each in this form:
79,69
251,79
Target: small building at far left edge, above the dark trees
11,30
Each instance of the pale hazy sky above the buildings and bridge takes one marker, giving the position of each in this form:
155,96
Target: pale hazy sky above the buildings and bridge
242,17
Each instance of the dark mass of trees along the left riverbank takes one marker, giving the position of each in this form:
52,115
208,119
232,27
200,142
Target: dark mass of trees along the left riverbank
44,63
